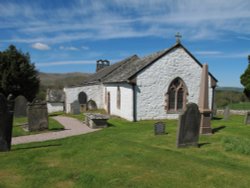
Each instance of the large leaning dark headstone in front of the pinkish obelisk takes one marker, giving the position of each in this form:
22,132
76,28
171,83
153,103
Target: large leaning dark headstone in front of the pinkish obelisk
189,126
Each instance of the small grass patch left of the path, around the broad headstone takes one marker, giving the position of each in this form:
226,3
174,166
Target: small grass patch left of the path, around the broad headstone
18,130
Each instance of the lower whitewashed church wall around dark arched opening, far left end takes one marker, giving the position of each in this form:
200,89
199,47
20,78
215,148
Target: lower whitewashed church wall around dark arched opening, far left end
94,92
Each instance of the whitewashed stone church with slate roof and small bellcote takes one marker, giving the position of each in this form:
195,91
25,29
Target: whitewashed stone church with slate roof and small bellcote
157,86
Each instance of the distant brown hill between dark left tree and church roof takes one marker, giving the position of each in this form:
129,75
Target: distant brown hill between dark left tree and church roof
60,80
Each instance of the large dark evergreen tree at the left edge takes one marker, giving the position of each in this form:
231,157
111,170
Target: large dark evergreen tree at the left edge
18,75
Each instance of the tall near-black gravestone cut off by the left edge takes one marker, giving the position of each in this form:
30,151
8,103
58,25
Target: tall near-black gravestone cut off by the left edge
6,122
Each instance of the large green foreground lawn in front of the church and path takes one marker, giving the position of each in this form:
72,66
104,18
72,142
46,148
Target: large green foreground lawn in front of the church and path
128,154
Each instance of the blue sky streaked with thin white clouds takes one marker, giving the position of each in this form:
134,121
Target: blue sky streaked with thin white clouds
69,36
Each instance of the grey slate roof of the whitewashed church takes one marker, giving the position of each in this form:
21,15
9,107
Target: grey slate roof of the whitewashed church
128,68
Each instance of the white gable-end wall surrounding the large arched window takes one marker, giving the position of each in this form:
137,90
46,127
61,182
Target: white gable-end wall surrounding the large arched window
153,83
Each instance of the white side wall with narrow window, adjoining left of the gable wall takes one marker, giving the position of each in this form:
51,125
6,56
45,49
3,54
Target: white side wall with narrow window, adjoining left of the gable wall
126,107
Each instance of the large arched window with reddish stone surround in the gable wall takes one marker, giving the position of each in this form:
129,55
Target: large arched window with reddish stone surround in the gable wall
176,97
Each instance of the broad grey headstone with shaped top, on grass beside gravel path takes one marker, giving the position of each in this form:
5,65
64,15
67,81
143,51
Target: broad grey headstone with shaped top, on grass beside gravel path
37,115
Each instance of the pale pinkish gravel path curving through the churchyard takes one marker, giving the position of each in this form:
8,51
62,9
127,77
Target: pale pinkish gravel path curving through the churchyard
71,125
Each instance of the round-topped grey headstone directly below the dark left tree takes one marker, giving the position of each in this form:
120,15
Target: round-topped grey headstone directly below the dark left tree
20,109
